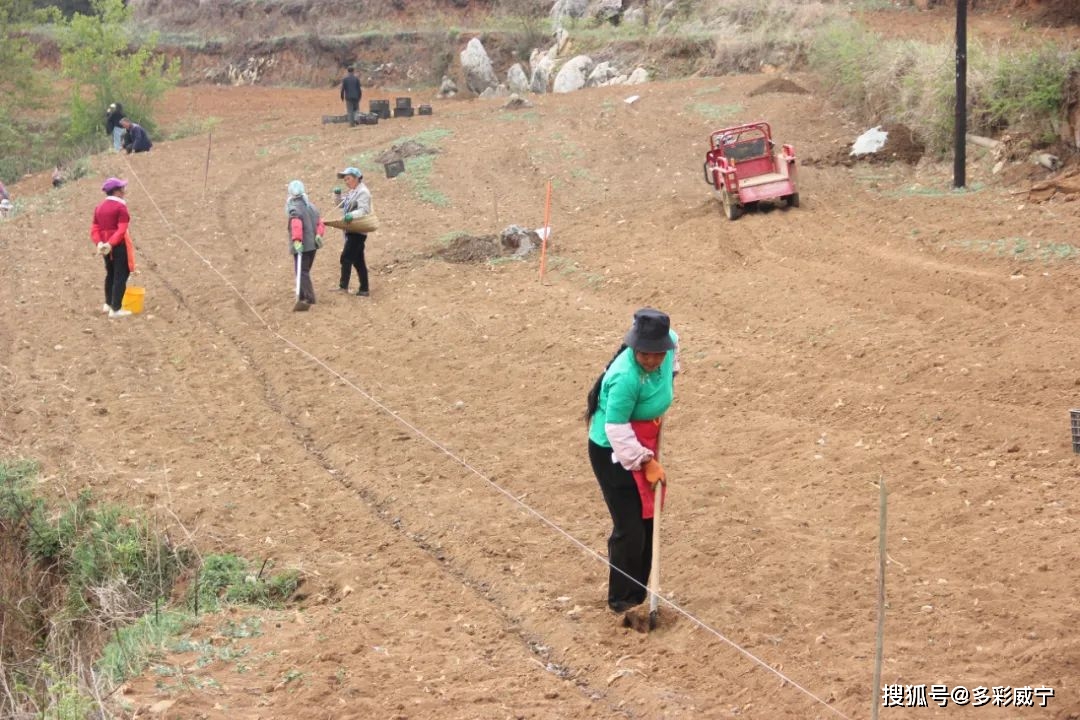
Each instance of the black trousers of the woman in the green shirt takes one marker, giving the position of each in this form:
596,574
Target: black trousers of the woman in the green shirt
630,546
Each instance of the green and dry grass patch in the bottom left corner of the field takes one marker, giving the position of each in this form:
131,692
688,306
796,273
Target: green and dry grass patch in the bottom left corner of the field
84,591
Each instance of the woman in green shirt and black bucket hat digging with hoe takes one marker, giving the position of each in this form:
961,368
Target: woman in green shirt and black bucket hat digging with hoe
625,411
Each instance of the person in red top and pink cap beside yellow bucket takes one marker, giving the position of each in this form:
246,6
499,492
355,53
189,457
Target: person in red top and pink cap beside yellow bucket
110,235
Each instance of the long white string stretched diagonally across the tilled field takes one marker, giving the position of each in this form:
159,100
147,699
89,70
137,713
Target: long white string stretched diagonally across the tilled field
476,472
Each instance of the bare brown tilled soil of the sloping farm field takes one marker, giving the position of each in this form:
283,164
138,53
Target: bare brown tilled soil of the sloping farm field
888,329
